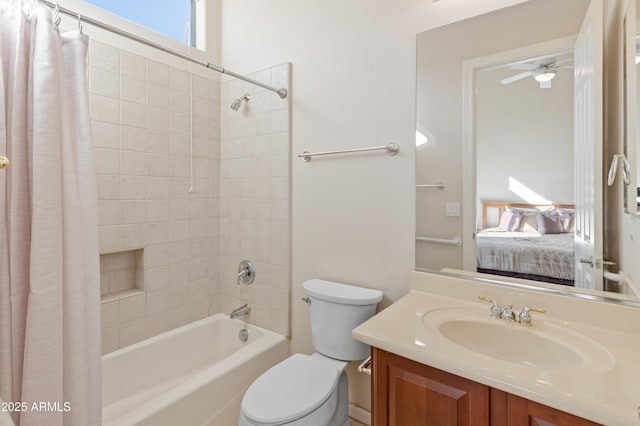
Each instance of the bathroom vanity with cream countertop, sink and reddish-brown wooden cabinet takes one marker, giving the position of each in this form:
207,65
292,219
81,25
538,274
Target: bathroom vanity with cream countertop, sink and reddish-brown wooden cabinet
440,357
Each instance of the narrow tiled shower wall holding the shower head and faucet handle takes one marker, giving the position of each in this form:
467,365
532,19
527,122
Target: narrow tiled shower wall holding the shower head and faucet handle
255,199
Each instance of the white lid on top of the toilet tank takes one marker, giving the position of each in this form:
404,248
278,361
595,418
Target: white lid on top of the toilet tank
341,293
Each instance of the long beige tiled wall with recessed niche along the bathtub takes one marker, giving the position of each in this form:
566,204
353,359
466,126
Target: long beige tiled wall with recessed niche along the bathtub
145,115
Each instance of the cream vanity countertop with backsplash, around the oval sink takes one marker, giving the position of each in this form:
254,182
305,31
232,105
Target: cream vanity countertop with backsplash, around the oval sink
608,393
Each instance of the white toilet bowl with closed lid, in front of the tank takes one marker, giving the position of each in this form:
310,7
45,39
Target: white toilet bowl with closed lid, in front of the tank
299,386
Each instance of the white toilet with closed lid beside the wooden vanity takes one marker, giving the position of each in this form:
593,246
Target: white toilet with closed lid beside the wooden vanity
312,389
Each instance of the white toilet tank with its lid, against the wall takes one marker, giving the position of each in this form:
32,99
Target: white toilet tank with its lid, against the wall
336,309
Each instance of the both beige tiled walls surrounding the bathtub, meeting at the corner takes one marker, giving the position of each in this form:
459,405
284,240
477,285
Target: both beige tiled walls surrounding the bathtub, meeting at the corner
148,118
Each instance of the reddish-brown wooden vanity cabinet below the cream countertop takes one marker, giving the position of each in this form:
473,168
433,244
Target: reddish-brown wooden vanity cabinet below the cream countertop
407,393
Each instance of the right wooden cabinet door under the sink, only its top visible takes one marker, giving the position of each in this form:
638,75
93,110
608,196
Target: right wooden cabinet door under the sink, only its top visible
523,412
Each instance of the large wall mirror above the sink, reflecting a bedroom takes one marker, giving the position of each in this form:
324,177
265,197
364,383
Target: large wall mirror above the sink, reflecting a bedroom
495,125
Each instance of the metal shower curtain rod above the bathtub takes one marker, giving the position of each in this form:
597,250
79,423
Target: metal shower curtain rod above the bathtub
82,18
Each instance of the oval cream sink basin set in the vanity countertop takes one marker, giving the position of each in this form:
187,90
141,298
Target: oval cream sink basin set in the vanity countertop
542,345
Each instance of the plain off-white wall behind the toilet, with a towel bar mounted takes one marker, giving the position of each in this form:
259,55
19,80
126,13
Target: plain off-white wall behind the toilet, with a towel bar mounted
353,86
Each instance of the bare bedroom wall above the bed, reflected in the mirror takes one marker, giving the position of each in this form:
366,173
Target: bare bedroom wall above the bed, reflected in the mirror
524,133
